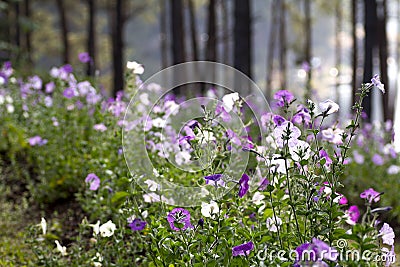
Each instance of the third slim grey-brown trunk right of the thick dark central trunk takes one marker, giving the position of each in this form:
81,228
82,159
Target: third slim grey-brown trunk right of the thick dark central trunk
307,48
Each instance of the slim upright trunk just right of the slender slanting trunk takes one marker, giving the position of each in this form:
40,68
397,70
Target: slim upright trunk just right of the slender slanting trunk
283,44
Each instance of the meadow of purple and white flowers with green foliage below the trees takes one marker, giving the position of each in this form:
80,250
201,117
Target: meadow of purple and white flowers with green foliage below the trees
155,179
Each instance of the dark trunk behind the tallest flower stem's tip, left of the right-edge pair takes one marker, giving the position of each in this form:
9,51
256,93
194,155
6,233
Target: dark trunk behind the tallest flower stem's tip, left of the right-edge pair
370,37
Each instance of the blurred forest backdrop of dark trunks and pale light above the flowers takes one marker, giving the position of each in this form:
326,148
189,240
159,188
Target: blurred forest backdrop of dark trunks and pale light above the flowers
314,48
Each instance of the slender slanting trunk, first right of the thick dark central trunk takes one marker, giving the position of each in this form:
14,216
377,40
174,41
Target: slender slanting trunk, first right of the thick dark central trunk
271,48
